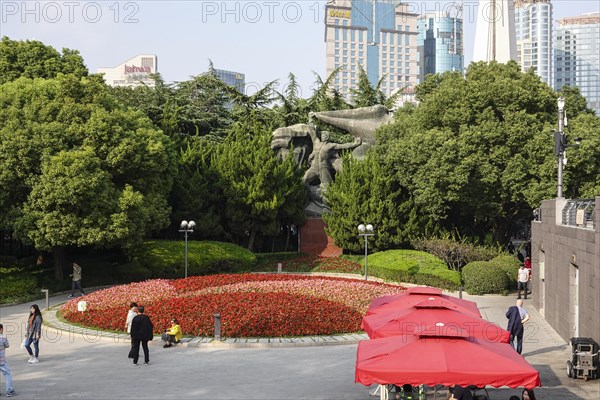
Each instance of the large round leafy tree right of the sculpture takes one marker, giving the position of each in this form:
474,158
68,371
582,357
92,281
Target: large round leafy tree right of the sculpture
478,149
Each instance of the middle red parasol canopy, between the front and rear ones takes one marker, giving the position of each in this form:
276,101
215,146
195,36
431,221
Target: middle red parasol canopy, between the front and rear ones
436,316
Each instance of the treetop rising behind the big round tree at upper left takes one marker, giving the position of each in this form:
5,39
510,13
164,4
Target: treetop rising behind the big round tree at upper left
33,59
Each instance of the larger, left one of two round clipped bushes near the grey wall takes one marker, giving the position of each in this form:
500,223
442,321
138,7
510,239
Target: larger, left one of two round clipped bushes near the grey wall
483,277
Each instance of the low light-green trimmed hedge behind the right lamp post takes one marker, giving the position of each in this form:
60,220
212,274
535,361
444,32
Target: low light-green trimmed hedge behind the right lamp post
413,266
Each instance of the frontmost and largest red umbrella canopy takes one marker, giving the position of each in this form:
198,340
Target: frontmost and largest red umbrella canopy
449,360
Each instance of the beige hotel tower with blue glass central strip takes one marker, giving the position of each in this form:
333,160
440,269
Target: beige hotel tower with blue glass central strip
379,35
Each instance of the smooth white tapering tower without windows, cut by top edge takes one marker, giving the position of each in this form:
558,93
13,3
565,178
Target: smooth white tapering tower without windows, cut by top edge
495,38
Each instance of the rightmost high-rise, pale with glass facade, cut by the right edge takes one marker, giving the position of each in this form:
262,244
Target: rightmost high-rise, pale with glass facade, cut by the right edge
576,56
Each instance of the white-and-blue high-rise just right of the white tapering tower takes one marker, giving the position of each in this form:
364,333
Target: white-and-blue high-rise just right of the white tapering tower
533,23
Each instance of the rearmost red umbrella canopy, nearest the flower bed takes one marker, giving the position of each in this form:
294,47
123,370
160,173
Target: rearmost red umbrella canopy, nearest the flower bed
386,304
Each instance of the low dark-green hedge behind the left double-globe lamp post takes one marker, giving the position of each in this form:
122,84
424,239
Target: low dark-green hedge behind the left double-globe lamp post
165,259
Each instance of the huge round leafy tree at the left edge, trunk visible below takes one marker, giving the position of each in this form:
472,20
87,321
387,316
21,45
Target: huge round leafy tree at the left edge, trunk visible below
76,168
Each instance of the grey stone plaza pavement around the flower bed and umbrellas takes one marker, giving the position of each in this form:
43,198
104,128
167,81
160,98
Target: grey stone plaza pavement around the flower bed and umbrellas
77,363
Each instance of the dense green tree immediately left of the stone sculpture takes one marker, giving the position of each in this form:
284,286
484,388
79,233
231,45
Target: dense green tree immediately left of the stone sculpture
260,189
